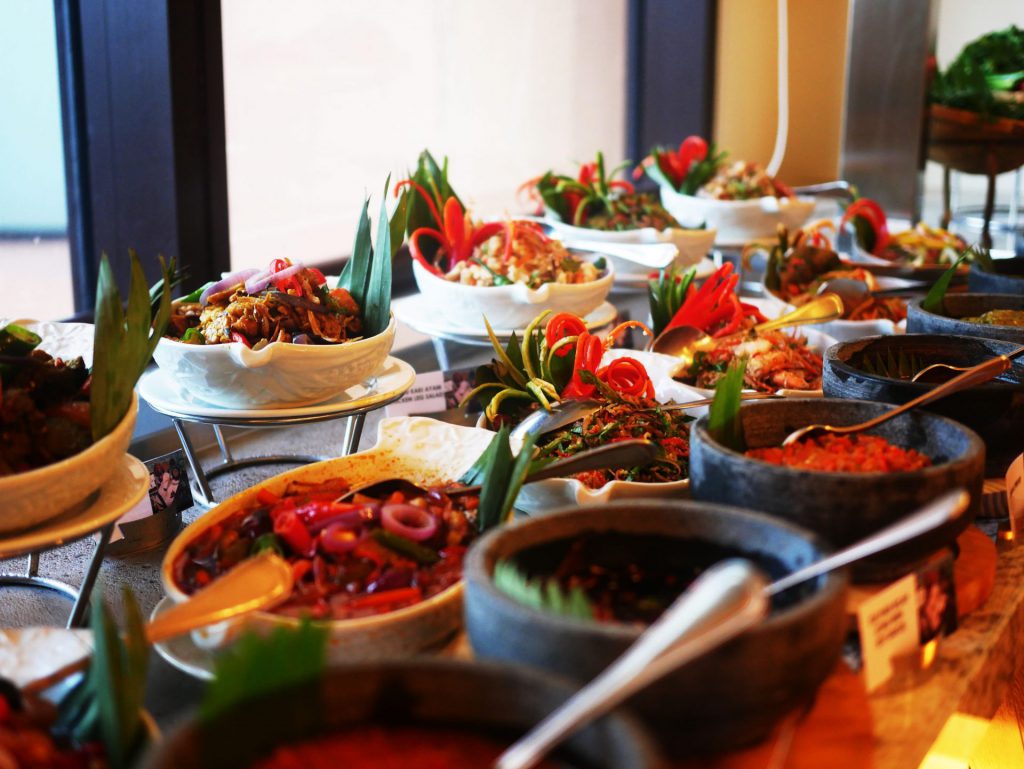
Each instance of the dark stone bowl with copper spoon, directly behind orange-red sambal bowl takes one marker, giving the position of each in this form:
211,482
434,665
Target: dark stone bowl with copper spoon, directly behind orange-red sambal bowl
995,410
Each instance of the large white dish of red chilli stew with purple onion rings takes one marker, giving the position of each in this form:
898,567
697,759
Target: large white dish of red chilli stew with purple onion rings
406,588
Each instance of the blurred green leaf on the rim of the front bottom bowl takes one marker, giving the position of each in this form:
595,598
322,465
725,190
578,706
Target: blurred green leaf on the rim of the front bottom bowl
260,665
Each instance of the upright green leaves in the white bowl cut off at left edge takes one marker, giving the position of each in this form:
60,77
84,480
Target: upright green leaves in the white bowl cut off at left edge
124,341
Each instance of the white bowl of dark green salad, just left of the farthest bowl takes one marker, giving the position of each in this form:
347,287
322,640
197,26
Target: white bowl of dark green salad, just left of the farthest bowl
596,207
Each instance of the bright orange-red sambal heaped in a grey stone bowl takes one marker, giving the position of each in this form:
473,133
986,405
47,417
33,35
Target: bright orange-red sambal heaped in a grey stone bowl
844,454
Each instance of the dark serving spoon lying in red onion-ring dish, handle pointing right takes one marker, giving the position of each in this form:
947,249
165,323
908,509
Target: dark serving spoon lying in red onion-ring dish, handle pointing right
612,456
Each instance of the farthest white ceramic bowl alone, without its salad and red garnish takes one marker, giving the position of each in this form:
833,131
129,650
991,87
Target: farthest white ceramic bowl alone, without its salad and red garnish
738,223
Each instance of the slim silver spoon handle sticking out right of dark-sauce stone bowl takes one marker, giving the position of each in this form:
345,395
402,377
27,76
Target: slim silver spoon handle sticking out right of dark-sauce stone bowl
947,508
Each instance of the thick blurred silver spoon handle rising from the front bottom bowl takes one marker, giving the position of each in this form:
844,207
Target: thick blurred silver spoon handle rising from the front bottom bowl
728,600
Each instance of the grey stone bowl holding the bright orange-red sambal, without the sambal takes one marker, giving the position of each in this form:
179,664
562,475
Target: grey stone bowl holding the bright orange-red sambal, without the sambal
843,507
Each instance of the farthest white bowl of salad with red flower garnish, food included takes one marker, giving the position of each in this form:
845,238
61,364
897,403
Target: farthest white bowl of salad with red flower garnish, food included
738,199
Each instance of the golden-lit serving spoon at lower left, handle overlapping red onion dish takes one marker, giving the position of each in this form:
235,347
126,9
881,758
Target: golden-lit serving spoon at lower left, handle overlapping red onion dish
259,583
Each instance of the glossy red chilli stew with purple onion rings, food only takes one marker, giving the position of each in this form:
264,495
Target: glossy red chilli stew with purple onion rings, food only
350,560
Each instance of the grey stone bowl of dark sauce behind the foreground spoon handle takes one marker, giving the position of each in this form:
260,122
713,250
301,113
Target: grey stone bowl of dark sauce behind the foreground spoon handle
727,699
